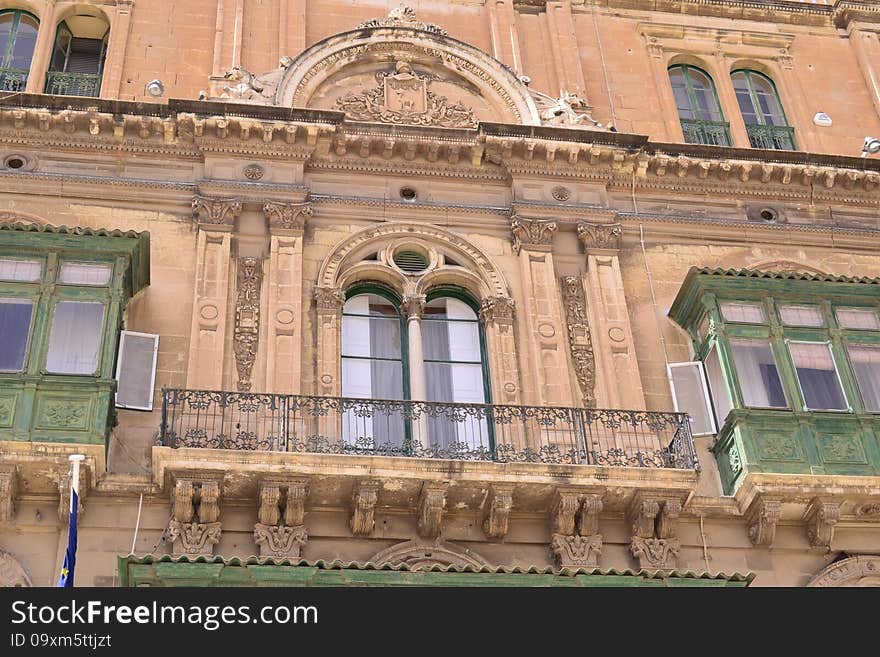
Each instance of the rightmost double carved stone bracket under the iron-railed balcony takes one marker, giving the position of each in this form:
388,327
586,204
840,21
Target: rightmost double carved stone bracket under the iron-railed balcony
654,521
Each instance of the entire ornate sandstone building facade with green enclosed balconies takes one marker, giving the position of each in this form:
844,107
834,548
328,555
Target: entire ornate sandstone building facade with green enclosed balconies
531,290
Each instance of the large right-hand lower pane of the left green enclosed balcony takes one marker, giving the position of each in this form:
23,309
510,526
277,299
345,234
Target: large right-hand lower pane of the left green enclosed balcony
75,338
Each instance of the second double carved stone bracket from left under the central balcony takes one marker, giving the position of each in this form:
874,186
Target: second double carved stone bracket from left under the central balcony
281,531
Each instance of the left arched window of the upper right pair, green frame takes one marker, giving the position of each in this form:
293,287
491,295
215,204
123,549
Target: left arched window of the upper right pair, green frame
698,109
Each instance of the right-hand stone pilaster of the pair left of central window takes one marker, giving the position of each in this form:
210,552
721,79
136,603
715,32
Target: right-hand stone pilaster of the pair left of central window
284,310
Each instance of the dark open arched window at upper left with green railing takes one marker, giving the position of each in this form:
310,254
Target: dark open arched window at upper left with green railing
77,63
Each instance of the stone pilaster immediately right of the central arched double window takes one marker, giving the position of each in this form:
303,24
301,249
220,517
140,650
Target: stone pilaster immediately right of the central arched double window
543,314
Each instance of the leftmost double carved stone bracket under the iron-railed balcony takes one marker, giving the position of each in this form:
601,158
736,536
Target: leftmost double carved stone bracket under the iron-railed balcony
194,528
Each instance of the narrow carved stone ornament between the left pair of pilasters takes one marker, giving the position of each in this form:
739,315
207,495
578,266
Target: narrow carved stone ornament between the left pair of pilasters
247,319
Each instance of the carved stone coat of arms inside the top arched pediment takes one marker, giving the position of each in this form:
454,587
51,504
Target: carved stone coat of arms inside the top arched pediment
403,97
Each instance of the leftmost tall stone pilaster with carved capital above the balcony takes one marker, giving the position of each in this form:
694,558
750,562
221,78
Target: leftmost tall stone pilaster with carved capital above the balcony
215,218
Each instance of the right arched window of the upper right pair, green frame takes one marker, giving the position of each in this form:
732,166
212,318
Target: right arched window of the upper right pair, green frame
762,112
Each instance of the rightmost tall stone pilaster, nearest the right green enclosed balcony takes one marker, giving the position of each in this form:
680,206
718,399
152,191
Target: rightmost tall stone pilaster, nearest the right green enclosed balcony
620,383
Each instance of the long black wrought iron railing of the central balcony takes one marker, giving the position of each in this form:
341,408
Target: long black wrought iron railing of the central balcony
471,432
